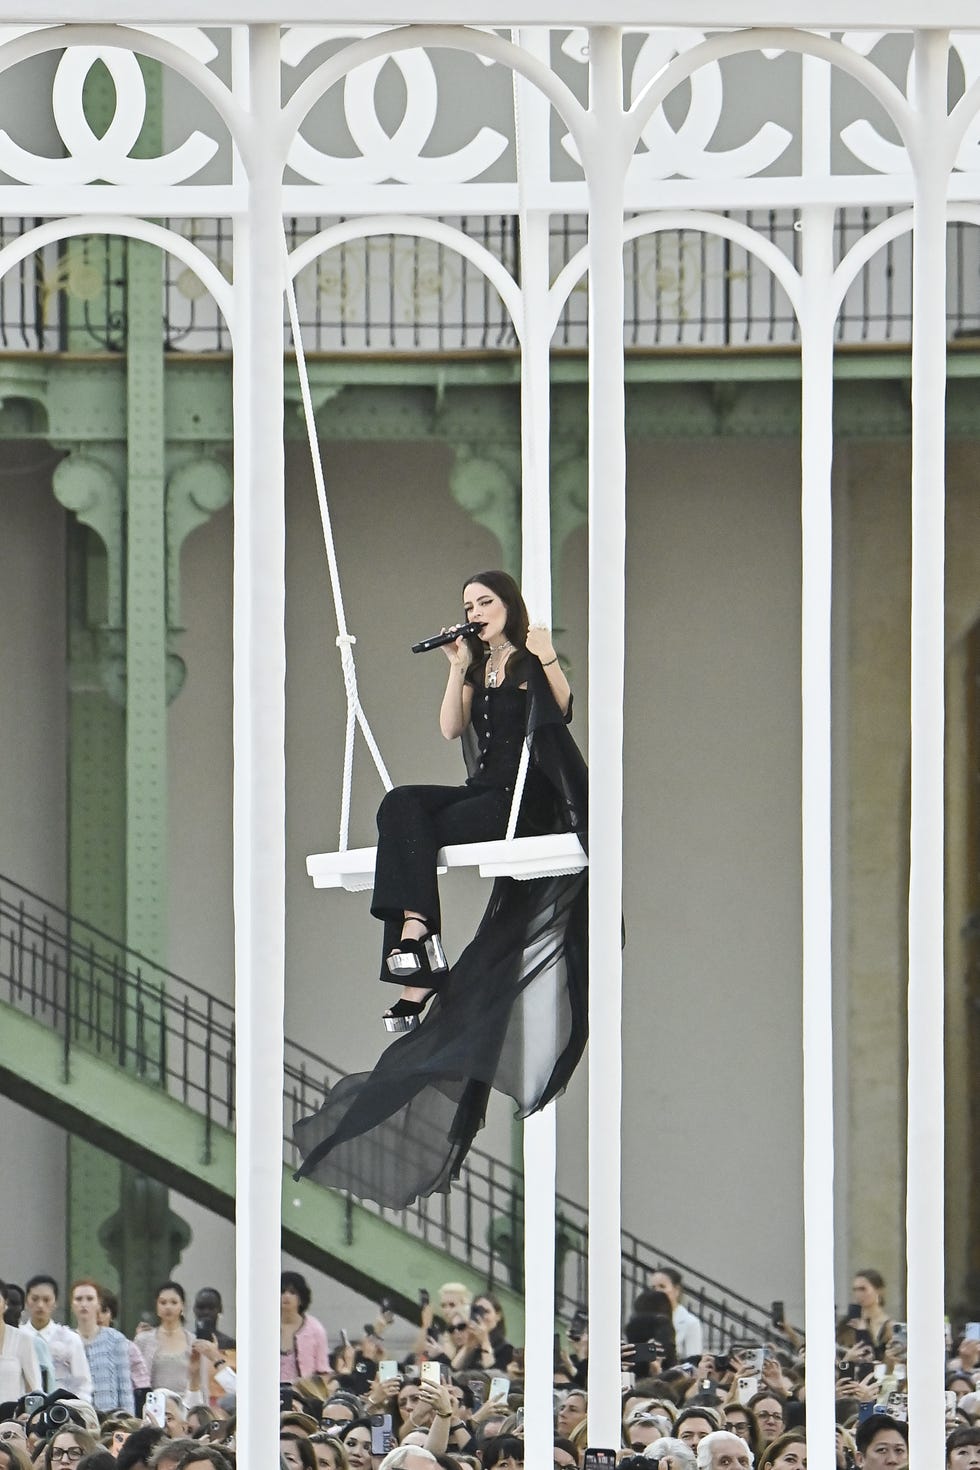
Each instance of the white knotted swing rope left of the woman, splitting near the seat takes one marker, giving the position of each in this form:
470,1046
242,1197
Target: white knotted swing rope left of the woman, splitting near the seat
345,639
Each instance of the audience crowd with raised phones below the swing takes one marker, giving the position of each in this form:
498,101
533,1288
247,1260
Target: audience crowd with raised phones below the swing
89,1399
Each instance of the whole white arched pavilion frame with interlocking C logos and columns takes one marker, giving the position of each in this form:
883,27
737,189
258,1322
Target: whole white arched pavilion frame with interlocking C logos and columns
669,158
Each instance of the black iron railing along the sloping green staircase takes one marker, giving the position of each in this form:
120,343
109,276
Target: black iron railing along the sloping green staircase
114,1002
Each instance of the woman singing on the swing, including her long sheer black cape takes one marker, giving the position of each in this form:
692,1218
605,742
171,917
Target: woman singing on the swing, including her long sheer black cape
512,1014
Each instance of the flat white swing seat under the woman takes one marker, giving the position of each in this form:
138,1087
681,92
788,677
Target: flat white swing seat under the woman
550,856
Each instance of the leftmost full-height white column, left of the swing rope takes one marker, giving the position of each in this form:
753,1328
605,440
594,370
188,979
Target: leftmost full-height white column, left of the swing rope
259,737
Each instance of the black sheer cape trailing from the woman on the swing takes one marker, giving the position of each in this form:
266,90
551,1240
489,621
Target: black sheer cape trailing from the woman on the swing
512,1015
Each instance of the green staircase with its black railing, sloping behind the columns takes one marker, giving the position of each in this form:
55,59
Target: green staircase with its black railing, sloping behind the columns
139,1061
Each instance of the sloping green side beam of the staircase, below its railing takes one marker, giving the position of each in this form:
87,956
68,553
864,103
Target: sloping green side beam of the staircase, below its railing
142,1127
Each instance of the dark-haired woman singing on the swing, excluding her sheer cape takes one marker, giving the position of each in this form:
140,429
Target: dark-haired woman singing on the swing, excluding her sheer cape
486,695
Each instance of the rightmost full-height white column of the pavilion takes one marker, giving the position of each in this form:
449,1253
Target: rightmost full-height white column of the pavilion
926,992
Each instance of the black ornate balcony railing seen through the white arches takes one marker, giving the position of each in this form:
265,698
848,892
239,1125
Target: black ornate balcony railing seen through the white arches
403,295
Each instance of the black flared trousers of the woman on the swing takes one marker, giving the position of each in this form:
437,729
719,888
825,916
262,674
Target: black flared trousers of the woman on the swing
414,824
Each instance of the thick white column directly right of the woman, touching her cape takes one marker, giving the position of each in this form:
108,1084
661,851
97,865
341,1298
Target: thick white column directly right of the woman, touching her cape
606,173
